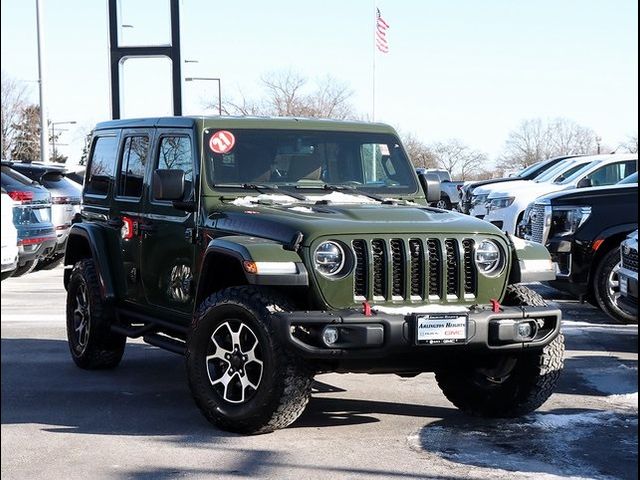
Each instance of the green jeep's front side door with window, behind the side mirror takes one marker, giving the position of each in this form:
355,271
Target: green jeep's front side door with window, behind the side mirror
167,233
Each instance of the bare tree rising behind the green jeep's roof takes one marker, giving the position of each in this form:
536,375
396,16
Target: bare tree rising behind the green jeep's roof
289,94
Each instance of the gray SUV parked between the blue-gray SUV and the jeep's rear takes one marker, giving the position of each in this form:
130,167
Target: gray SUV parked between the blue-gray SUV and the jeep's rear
65,203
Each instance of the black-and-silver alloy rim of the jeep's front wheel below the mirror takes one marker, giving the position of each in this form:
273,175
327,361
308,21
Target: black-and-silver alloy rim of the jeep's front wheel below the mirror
234,361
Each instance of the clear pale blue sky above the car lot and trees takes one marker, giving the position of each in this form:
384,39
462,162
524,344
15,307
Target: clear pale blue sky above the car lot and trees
463,69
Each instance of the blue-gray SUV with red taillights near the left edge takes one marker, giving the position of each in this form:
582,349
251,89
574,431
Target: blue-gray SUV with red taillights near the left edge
32,218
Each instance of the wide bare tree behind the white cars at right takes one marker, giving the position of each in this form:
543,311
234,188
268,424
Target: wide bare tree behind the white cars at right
536,140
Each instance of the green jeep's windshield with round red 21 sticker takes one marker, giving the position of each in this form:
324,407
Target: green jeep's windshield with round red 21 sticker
307,160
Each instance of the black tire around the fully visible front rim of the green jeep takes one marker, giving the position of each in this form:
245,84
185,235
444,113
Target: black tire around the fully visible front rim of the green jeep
285,385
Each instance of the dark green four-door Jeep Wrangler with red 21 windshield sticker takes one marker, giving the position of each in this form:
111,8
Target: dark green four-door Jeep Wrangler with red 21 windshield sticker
268,250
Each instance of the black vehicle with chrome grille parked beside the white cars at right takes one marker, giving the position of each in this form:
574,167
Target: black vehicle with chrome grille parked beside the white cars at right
582,229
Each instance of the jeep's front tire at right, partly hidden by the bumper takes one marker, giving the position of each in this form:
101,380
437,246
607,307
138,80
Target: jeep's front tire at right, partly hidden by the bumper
527,386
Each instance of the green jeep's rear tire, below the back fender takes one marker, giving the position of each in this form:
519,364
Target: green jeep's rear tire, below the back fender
102,348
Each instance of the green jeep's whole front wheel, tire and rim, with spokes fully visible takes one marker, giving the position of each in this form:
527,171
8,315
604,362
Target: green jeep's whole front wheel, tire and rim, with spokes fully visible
241,376
